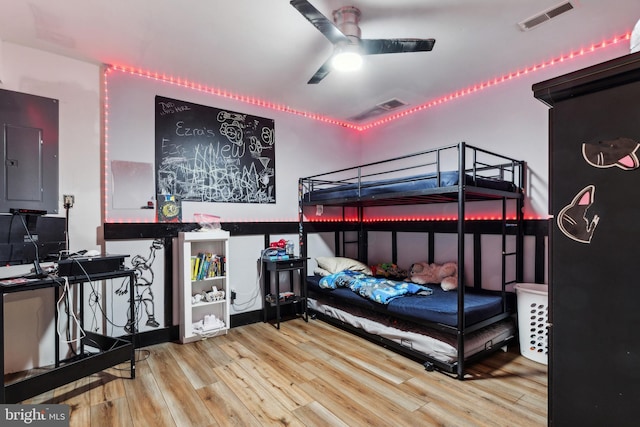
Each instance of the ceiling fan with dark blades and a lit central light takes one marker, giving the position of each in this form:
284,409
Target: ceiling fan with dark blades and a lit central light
344,33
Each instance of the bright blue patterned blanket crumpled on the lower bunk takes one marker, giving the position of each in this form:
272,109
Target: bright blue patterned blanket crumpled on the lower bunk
375,288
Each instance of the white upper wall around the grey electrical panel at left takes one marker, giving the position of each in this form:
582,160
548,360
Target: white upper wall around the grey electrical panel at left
77,86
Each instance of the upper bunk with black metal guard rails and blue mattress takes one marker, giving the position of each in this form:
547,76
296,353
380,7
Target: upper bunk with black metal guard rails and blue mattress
435,177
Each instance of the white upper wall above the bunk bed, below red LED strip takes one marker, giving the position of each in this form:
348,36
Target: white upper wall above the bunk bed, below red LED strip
505,118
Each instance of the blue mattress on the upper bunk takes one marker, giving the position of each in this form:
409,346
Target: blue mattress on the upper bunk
414,183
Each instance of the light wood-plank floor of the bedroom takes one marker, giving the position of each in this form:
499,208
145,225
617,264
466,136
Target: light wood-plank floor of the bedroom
305,374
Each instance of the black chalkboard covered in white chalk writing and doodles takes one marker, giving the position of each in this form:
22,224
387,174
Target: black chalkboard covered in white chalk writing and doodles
207,154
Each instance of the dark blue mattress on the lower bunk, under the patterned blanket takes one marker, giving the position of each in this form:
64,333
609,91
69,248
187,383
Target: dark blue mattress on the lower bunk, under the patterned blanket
439,307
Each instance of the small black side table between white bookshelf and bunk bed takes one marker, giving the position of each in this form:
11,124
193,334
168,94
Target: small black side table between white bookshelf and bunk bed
274,300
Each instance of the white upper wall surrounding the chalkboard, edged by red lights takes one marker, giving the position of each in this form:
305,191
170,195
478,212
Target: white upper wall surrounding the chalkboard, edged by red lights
302,146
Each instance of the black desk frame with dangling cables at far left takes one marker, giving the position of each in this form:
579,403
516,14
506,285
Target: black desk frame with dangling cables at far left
118,349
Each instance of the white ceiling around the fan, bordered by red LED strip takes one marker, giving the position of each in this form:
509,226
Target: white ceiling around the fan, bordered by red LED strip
266,49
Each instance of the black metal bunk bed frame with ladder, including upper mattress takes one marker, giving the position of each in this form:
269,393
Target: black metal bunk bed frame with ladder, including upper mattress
475,175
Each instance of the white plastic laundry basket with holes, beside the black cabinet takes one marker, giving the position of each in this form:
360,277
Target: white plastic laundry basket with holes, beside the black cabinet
533,304
